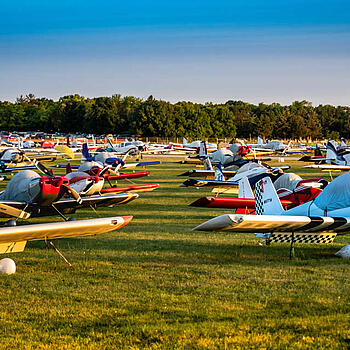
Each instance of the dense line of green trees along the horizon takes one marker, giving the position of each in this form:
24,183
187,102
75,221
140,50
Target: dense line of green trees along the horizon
152,117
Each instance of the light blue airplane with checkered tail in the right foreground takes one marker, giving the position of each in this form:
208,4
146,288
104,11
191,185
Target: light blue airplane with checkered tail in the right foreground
317,221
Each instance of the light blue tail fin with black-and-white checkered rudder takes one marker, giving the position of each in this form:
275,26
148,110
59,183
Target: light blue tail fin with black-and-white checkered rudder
266,198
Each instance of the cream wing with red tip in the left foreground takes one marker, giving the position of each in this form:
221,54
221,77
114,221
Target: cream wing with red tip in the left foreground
13,239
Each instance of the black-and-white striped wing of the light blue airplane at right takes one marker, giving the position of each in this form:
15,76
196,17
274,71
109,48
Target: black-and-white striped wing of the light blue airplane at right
274,223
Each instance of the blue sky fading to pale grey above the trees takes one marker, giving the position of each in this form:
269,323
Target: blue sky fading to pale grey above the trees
193,50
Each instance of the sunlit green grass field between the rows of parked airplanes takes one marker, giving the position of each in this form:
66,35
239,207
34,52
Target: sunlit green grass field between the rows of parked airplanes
155,284
